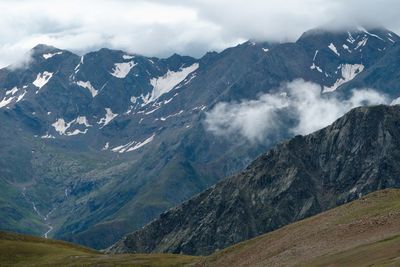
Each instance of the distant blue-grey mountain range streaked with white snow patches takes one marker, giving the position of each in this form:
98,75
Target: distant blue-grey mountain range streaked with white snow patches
96,146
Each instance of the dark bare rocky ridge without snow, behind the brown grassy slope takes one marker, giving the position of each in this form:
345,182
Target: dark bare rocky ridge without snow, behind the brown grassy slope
356,155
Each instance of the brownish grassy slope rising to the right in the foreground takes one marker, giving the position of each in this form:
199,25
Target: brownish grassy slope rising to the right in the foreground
365,232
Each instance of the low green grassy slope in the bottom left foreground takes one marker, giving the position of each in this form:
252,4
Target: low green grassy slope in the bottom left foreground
23,250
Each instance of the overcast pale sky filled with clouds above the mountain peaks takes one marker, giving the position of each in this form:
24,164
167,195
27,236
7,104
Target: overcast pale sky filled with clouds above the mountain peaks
160,28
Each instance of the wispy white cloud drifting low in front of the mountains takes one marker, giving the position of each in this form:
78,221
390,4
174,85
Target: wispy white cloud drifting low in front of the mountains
298,108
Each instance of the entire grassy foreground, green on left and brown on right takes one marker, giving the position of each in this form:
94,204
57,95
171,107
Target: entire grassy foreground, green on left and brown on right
365,232
